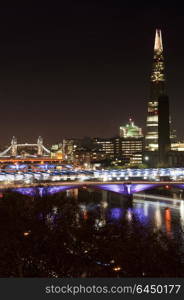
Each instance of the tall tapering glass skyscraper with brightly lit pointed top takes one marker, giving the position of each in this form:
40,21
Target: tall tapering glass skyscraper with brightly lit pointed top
157,89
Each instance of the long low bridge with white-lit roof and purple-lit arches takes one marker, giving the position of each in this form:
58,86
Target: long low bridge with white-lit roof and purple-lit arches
125,181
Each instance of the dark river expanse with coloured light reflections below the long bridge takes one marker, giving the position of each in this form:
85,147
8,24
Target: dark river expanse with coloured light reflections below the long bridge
82,233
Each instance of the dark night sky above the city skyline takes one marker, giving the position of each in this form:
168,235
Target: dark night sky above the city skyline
82,68
